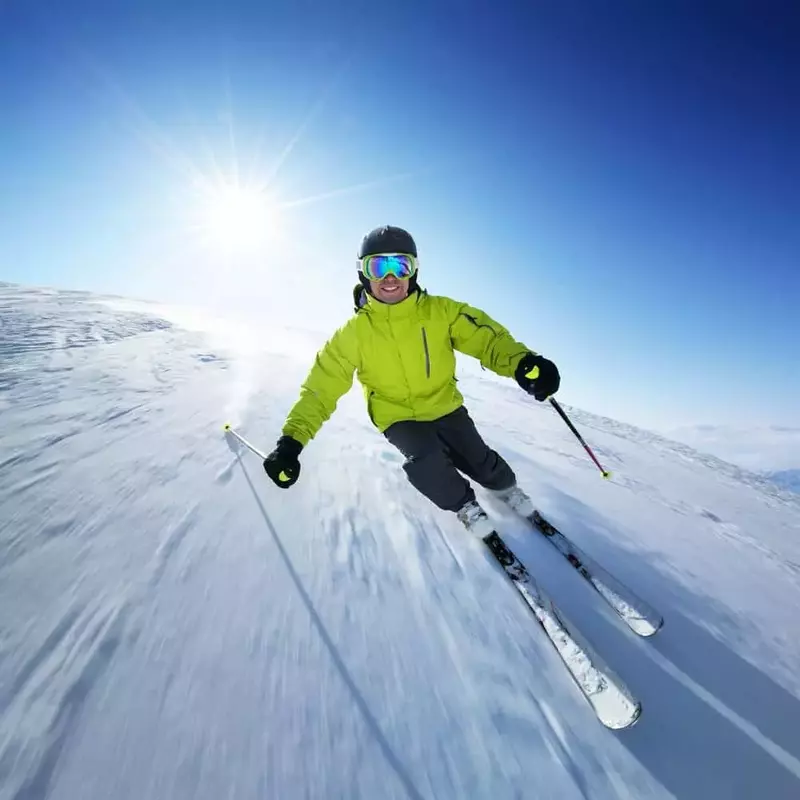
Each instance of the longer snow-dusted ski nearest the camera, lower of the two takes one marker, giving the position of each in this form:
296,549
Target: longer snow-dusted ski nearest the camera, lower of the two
606,693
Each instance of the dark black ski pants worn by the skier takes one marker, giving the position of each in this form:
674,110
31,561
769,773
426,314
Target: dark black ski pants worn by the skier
436,452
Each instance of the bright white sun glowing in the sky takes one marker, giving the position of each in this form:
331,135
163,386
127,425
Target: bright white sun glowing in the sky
237,218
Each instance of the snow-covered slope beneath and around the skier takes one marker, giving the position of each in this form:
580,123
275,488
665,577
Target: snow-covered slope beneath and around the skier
174,626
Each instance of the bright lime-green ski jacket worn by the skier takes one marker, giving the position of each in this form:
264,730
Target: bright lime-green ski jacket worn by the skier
404,357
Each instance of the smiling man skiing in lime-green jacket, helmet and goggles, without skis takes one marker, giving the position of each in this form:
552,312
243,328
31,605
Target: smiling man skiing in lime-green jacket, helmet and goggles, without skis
401,344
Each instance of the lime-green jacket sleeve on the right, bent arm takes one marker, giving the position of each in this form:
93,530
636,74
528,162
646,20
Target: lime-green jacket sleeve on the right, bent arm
475,333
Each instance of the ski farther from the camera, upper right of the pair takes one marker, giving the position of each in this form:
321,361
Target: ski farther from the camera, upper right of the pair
640,617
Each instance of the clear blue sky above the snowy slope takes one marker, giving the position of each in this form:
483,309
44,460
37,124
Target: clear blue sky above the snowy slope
616,182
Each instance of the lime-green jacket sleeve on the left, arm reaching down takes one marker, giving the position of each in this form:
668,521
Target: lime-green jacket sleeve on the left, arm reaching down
330,377
